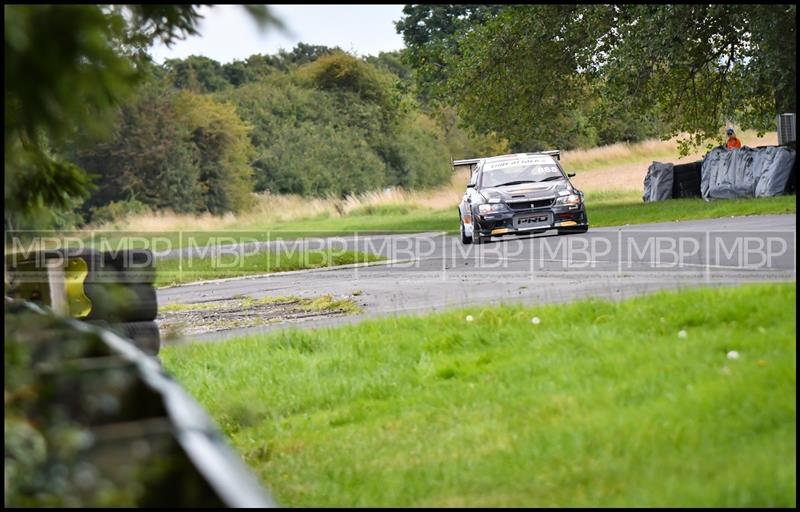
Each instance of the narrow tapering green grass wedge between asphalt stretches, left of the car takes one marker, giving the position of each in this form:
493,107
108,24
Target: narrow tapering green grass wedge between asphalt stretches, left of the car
185,270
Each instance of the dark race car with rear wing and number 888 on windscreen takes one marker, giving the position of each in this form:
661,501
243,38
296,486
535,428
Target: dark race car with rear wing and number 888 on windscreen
519,194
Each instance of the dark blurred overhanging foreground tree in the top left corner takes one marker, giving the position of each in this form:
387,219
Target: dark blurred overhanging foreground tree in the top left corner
66,67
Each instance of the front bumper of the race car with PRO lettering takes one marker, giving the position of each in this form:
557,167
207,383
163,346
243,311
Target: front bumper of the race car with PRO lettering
508,222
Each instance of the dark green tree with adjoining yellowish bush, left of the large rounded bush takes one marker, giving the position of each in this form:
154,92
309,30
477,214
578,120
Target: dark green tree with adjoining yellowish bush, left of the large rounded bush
174,150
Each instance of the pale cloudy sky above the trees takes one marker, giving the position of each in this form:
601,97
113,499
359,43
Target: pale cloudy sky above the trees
228,32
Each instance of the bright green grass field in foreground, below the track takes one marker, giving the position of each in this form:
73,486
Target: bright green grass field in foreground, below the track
600,404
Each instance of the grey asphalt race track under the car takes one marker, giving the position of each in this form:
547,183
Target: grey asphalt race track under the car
428,272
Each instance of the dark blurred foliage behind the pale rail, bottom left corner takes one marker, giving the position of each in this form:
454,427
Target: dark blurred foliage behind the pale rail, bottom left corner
81,427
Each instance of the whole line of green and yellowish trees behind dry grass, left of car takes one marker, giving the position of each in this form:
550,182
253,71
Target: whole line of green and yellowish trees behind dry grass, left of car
199,136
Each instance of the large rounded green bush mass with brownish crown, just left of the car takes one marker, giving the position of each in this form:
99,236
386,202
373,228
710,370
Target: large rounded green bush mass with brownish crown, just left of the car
340,128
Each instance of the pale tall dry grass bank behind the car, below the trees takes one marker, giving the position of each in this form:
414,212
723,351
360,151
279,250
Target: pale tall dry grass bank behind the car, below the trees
617,166
